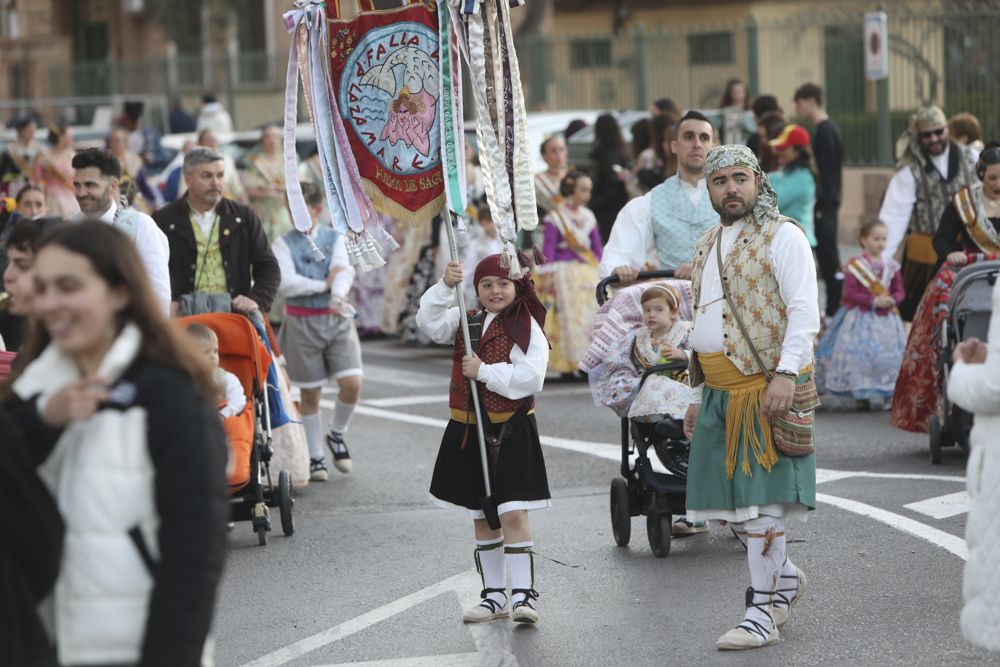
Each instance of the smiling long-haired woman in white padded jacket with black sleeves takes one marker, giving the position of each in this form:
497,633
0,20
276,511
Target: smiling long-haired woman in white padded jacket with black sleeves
124,432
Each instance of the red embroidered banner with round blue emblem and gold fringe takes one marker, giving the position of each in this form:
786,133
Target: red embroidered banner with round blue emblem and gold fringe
386,80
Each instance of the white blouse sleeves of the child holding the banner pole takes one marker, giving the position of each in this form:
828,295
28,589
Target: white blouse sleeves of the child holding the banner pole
439,318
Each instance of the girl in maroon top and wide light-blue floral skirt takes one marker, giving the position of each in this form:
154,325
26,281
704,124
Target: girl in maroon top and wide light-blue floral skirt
860,354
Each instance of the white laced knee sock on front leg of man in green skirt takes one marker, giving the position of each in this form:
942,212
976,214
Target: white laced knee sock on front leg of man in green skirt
765,556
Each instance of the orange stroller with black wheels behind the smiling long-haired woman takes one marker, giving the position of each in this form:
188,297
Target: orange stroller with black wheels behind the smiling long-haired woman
242,353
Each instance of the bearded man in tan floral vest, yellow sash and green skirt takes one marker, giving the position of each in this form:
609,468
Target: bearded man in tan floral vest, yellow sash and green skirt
751,463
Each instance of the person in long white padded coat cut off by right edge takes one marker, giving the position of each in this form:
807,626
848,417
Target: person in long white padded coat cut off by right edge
974,385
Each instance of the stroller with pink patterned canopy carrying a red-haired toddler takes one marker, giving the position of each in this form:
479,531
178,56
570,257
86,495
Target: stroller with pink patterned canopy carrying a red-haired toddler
641,377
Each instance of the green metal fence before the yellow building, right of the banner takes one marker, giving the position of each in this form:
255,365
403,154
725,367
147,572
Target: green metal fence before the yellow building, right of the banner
947,53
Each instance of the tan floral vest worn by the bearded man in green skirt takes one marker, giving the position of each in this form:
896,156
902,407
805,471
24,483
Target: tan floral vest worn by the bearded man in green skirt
754,290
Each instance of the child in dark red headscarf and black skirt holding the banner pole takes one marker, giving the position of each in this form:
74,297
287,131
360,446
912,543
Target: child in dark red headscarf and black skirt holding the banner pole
506,367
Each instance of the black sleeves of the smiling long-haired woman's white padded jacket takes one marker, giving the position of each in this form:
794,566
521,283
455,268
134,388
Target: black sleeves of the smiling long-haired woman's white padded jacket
187,447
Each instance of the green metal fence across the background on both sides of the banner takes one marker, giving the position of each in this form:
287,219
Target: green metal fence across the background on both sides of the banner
946,52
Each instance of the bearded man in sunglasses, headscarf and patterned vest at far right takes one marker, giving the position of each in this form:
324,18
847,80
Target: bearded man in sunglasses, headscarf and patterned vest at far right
931,169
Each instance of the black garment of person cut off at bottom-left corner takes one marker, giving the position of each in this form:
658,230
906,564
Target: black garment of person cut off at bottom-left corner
29,552
